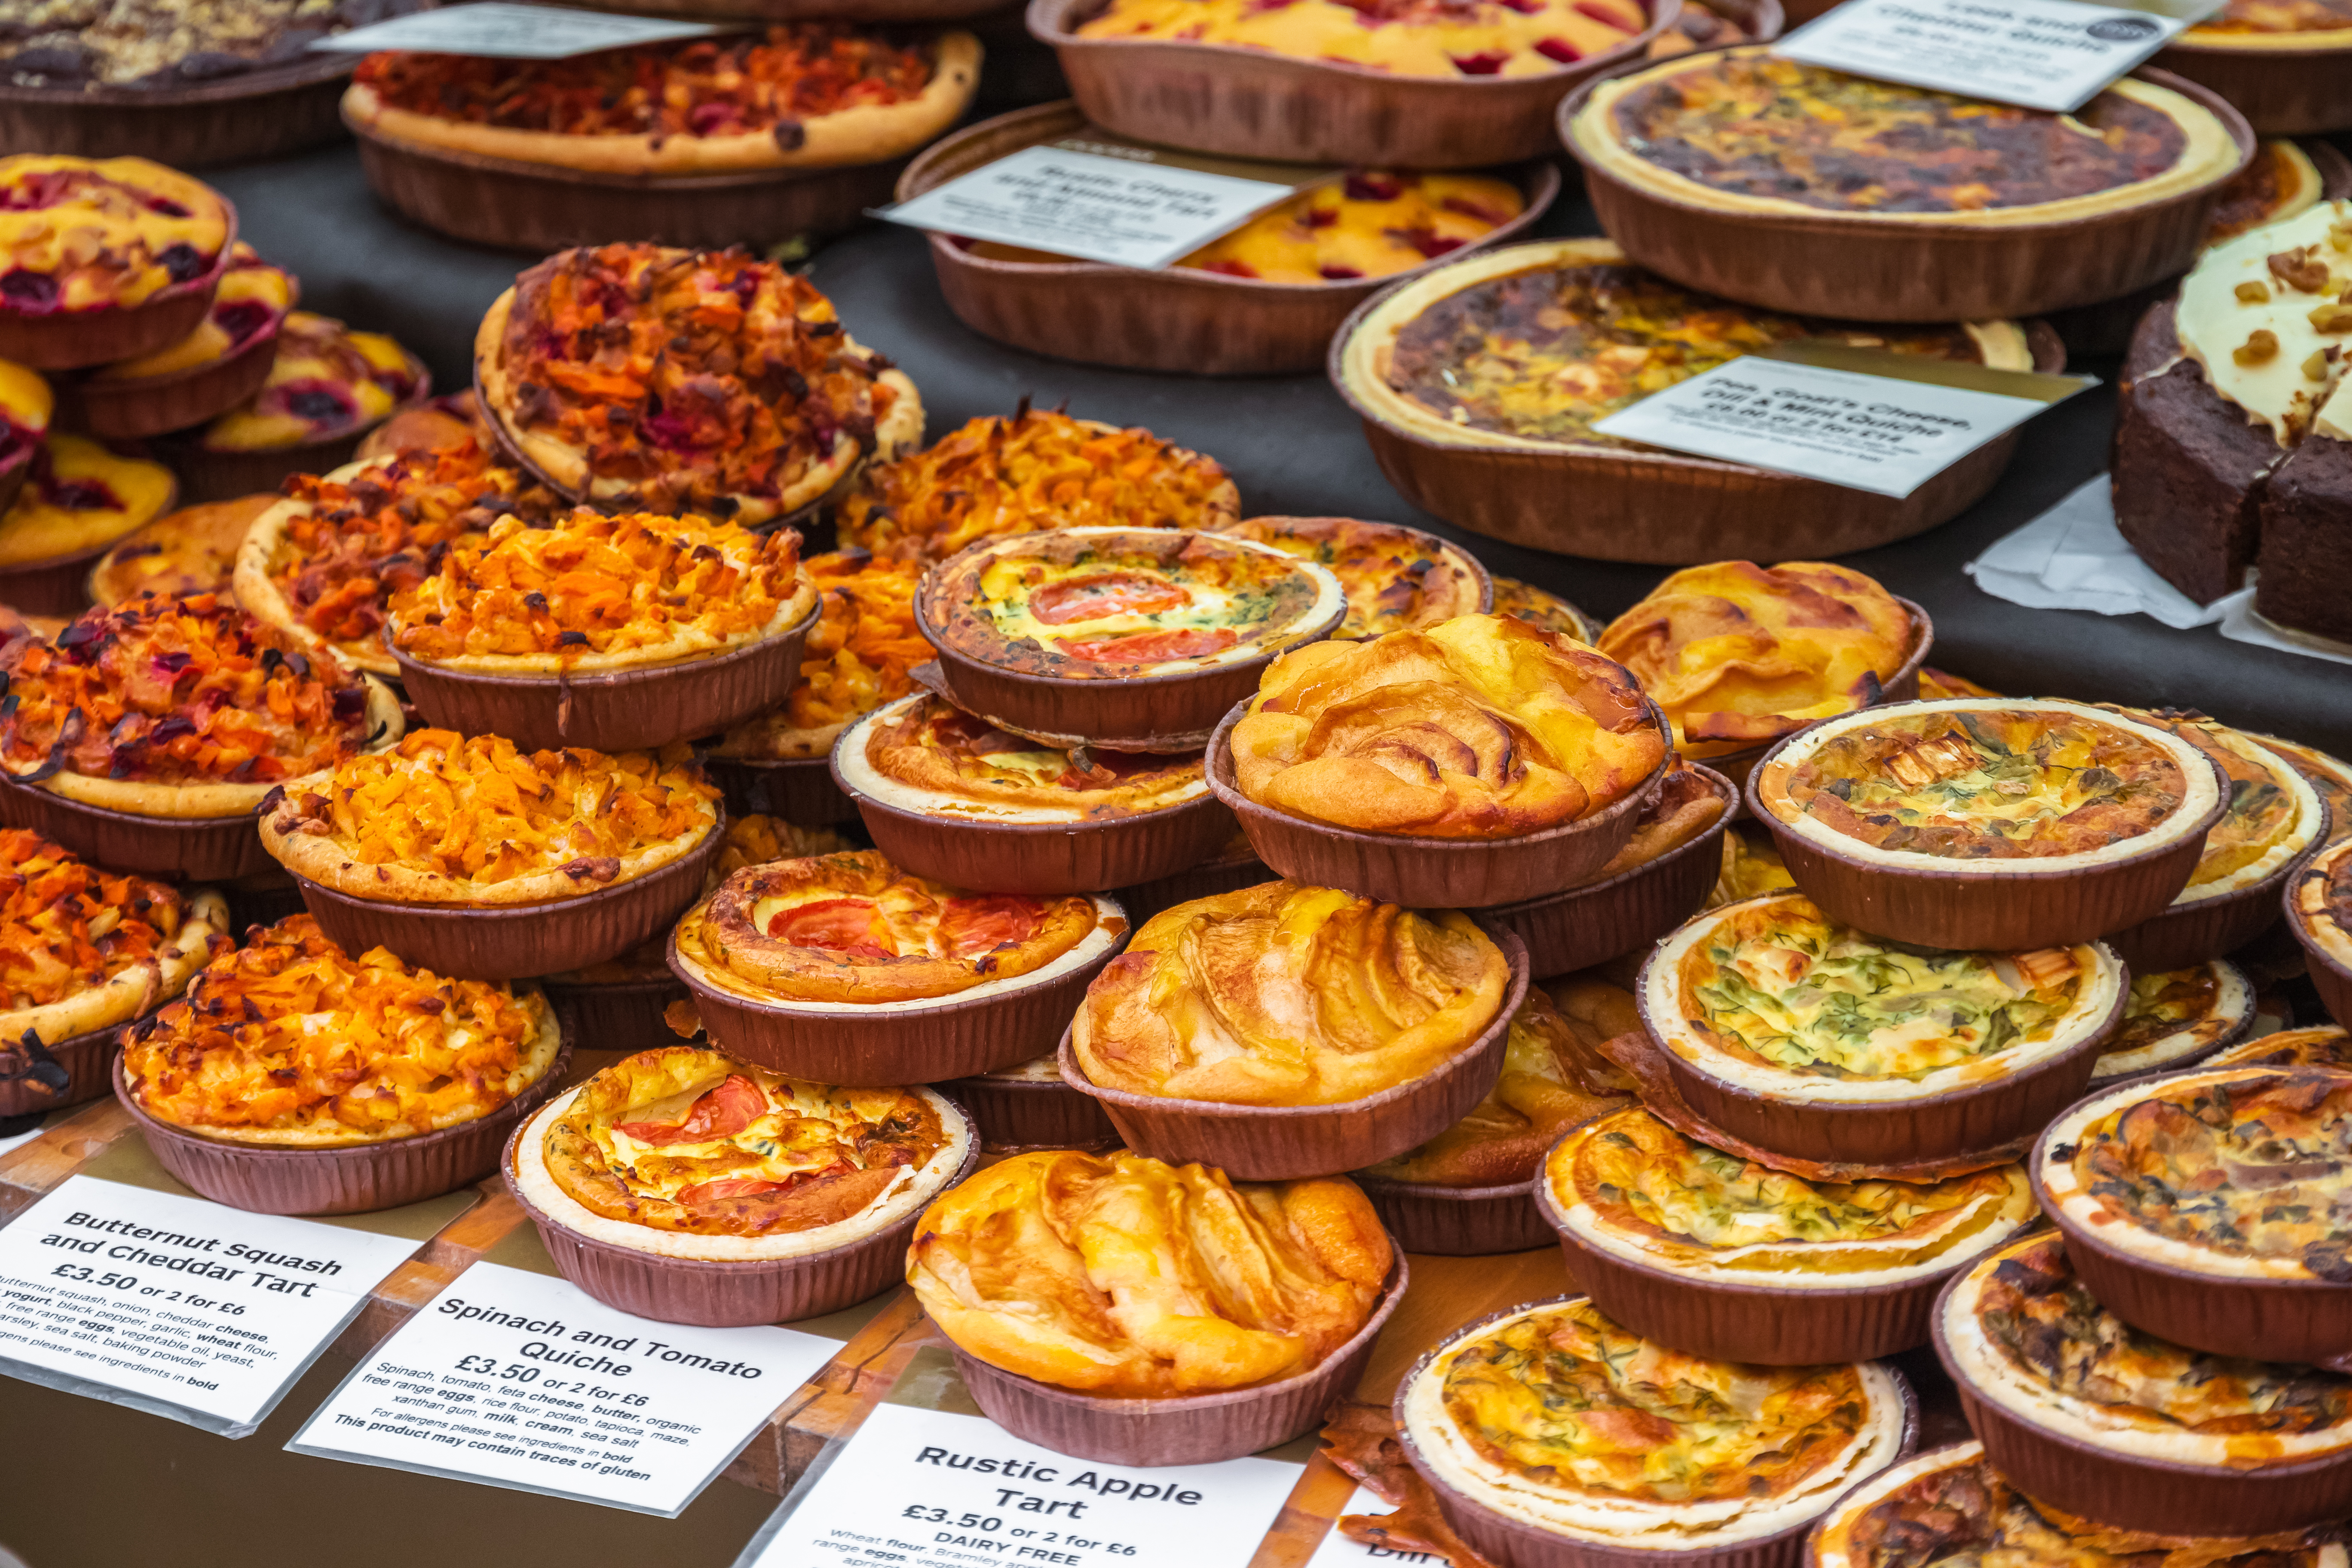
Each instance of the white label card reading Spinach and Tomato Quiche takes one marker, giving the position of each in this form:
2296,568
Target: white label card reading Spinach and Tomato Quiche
526,1381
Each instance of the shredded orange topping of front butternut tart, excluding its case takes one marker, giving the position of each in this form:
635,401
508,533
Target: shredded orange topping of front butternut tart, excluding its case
243,1057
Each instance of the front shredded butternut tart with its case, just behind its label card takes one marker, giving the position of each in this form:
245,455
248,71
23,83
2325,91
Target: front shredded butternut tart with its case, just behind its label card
300,1078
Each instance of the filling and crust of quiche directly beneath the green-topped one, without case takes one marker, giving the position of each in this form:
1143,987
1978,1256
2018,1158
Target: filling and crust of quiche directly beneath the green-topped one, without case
1641,1191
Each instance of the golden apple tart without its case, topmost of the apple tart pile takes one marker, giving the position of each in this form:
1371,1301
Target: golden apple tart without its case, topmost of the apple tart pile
1481,728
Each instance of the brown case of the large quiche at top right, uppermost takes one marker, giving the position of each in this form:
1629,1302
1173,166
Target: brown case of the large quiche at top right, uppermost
1895,272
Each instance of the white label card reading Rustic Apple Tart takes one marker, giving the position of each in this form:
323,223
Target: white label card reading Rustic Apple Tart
937,1489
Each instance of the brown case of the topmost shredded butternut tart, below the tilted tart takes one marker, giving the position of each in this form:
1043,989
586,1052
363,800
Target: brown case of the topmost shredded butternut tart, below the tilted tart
610,711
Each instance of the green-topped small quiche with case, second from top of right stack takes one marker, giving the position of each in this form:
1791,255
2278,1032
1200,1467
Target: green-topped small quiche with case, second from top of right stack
1810,1038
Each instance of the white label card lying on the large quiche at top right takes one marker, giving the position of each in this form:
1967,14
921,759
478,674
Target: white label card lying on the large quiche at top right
2050,55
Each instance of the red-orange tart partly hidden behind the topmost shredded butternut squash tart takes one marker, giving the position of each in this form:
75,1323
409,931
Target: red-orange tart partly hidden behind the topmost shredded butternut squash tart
328,558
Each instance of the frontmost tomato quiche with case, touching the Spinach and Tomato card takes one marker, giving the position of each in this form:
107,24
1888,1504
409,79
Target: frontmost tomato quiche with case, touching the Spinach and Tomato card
695,1188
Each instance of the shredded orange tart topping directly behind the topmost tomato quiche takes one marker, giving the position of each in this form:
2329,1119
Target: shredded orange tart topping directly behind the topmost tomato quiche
1034,471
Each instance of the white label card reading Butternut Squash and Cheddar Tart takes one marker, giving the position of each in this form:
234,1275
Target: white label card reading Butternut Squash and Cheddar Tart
178,1306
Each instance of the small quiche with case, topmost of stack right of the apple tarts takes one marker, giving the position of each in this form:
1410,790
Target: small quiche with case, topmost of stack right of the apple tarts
1991,822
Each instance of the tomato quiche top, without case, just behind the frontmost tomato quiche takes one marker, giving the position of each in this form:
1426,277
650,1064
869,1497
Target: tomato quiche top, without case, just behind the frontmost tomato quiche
857,930
